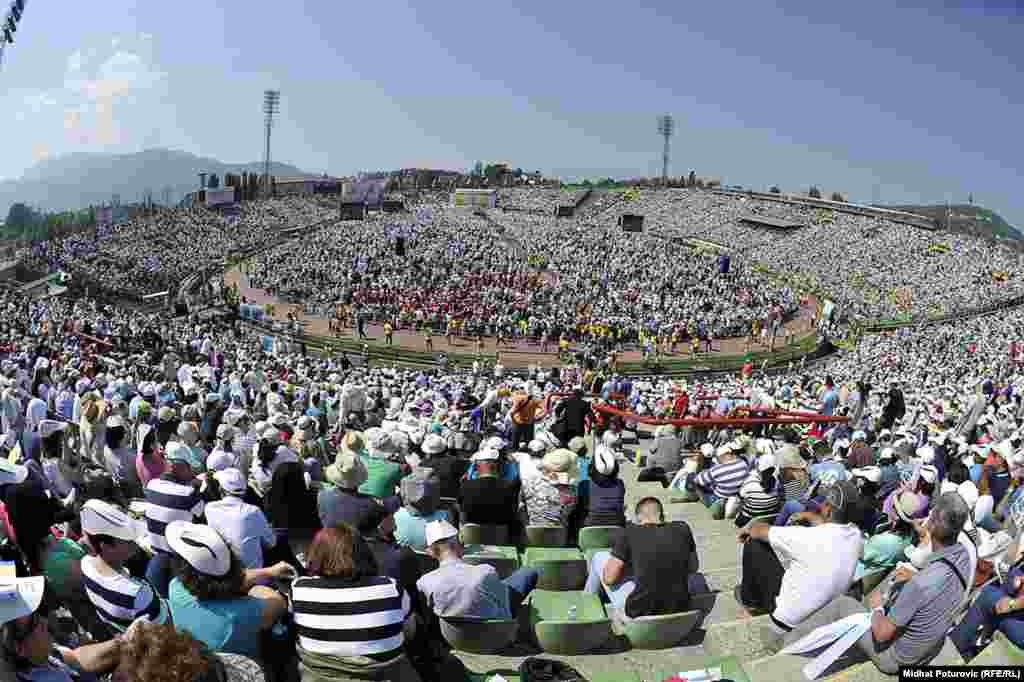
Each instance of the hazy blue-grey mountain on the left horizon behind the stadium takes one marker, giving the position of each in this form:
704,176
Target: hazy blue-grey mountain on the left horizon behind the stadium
77,181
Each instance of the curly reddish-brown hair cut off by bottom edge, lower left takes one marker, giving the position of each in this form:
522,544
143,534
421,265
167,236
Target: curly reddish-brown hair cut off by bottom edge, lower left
161,654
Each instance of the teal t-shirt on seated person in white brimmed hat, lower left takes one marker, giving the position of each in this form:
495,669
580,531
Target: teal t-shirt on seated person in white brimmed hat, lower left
231,626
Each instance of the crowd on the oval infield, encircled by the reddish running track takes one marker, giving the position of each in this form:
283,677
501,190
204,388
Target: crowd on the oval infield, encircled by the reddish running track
596,282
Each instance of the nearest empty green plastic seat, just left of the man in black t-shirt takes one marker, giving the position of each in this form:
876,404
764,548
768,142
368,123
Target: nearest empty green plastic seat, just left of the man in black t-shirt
557,633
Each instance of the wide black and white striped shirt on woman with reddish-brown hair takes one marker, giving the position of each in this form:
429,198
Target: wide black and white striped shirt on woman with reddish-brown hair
344,618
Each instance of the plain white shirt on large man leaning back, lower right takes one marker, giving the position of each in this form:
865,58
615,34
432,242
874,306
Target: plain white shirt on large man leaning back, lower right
820,564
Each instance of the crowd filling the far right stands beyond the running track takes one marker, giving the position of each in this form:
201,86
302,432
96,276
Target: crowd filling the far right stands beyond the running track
874,269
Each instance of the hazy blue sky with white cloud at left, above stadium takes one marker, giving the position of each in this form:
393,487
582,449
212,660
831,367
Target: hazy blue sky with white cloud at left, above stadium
884,104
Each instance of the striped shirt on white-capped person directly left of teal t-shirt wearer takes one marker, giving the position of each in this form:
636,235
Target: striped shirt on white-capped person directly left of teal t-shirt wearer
119,599
